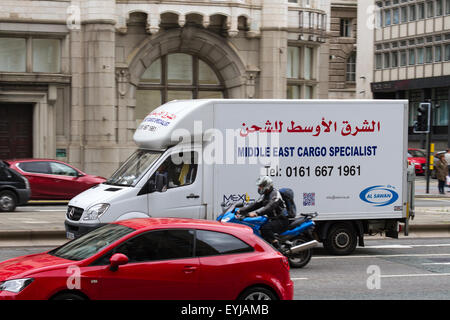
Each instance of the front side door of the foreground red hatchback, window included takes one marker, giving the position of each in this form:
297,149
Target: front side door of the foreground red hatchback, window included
161,267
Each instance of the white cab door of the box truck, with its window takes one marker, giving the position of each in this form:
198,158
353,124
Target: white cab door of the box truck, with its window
175,189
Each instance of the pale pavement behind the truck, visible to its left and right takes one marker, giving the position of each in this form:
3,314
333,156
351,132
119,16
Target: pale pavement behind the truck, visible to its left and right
34,225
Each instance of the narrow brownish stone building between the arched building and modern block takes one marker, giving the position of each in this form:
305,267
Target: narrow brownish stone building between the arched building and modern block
343,27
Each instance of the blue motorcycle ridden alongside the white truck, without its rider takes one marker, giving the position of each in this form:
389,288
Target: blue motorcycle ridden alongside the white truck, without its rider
295,243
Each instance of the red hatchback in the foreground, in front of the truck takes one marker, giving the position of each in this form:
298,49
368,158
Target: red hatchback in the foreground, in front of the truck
153,258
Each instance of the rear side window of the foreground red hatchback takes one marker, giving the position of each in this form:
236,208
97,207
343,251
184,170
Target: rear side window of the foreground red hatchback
211,243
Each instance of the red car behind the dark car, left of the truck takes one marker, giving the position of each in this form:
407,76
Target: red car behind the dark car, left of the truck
53,179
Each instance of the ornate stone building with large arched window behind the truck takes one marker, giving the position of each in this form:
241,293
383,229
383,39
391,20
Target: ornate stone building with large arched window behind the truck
77,76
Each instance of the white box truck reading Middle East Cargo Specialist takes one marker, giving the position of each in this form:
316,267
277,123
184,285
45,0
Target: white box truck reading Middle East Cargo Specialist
344,159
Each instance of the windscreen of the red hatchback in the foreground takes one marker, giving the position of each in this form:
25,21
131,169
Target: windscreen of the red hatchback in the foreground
91,243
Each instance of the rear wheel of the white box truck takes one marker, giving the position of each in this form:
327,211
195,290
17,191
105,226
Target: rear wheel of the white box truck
341,239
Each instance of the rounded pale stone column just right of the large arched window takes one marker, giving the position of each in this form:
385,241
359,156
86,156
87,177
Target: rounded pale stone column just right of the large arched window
273,49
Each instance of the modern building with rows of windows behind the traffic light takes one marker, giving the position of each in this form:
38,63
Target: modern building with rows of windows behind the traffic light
411,59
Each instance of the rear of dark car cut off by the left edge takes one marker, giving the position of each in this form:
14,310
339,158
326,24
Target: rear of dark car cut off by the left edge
14,188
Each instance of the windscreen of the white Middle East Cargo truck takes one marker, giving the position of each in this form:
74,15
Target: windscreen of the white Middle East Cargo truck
134,168
